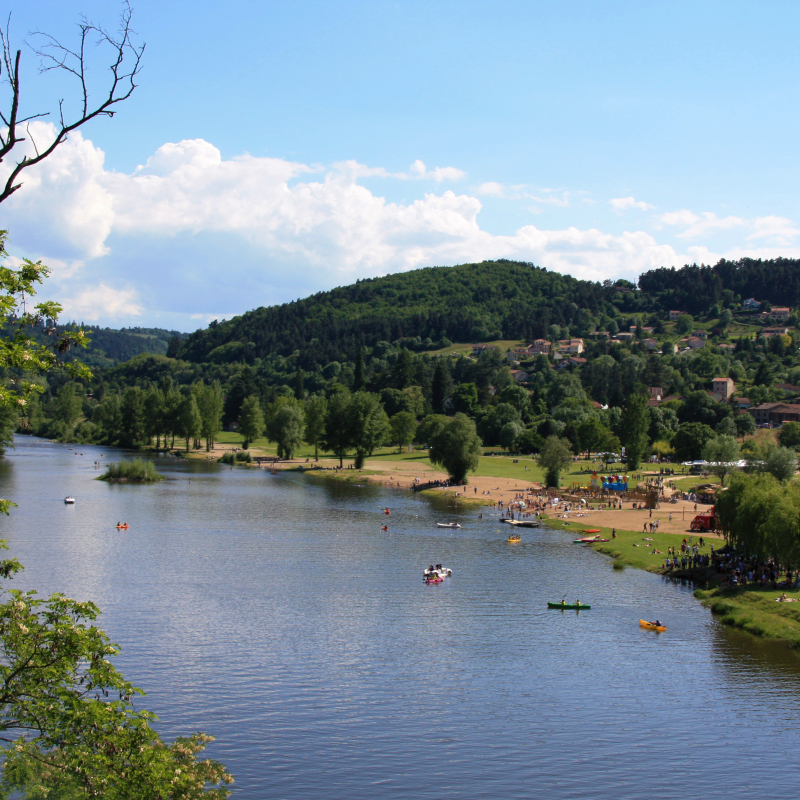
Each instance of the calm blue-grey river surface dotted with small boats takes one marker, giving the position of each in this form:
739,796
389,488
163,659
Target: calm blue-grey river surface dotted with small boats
273,613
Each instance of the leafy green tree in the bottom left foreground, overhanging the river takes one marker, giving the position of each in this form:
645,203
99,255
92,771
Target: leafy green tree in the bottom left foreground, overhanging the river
70,714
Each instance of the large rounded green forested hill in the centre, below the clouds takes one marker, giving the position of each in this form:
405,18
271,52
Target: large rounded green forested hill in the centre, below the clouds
470,302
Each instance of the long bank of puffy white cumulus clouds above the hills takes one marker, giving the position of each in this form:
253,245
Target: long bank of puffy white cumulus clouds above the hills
190,230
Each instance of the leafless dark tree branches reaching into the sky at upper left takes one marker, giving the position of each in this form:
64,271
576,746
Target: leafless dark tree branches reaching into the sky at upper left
126,63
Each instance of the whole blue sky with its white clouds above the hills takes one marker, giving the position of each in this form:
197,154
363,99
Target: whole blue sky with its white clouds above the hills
277,149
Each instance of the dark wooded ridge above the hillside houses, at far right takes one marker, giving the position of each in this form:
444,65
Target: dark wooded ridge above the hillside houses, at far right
694,289
